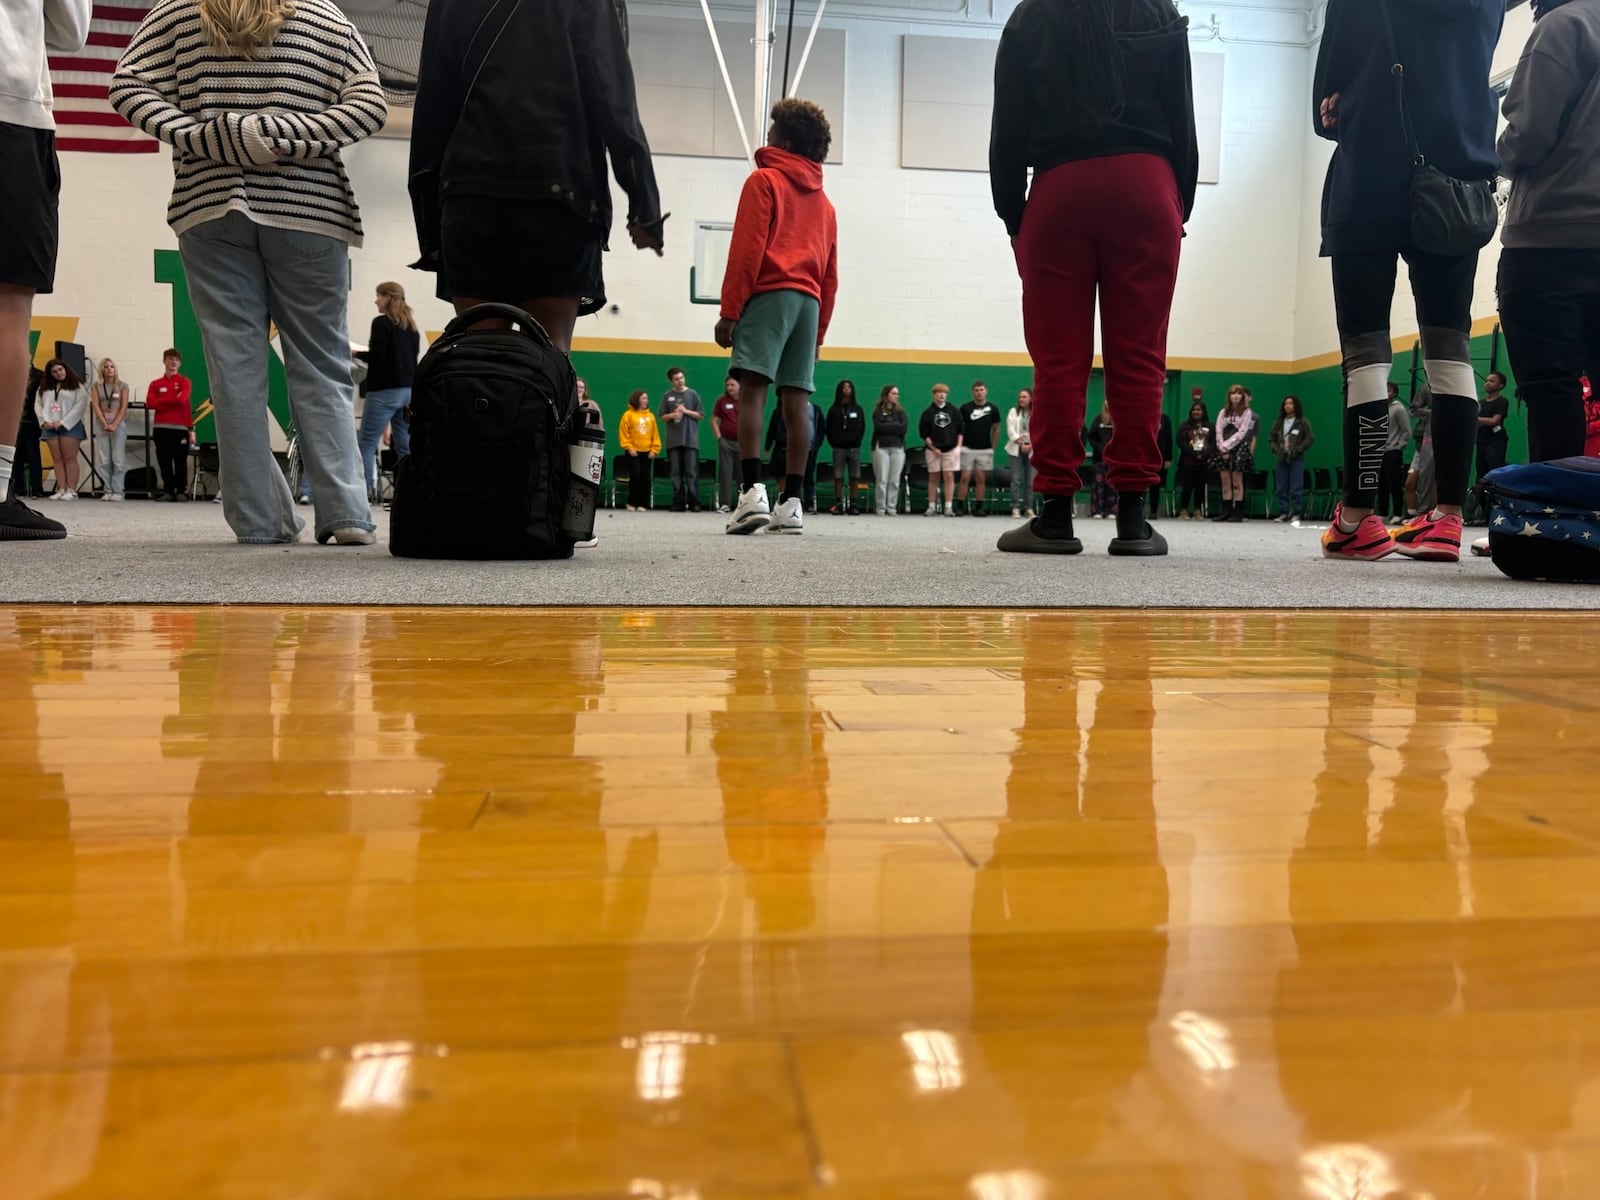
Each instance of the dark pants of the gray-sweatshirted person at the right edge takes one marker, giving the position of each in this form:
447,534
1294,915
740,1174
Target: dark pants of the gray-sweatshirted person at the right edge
1550,303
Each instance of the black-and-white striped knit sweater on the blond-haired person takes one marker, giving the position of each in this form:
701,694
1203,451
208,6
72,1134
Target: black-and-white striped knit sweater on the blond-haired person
260,138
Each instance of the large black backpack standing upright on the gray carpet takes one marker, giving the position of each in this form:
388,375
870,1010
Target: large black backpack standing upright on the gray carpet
492,414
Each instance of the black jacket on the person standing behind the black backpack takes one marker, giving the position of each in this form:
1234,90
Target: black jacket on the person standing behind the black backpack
522,100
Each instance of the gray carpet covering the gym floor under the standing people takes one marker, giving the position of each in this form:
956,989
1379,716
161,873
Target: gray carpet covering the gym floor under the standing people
143,553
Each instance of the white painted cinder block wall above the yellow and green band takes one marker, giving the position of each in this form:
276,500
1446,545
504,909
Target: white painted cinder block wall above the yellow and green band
926,265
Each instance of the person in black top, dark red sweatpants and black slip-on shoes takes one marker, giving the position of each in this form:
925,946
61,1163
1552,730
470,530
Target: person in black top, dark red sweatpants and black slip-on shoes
1095,97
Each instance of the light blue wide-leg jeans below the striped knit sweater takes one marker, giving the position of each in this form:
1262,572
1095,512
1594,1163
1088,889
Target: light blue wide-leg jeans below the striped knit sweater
244,278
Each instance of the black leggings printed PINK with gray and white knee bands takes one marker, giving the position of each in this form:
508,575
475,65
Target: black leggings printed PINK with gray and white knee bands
1364,289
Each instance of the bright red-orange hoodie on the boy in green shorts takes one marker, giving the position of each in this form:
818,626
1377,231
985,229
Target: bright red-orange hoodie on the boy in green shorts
785,239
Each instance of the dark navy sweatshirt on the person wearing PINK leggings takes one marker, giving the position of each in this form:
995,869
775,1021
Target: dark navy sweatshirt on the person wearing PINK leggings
1447,47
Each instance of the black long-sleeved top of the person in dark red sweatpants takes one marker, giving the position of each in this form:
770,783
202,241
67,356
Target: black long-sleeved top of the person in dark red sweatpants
1158,116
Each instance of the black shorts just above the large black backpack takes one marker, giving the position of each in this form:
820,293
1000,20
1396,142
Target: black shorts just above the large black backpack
519,250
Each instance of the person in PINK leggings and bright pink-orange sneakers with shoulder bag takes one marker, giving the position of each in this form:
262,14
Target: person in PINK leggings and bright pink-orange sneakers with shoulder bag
1367,207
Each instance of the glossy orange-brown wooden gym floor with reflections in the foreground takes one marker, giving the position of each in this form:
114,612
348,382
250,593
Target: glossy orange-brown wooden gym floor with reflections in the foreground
484,905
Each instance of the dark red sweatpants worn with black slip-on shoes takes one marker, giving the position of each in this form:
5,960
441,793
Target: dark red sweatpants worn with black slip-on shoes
1108,226
